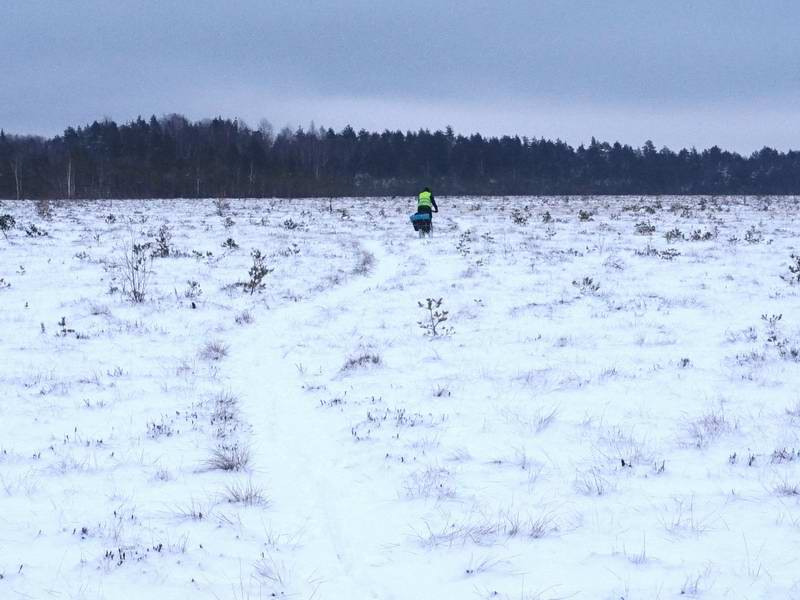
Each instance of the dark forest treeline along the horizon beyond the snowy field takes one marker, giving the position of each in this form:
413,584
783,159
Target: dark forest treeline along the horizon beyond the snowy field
172,157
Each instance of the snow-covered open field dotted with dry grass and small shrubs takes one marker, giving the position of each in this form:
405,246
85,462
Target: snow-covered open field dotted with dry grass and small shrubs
605,413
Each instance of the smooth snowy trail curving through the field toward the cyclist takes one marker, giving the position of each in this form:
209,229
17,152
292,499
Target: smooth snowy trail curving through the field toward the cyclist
298,448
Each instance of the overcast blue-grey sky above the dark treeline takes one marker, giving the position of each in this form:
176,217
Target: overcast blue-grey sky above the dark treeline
680,72
